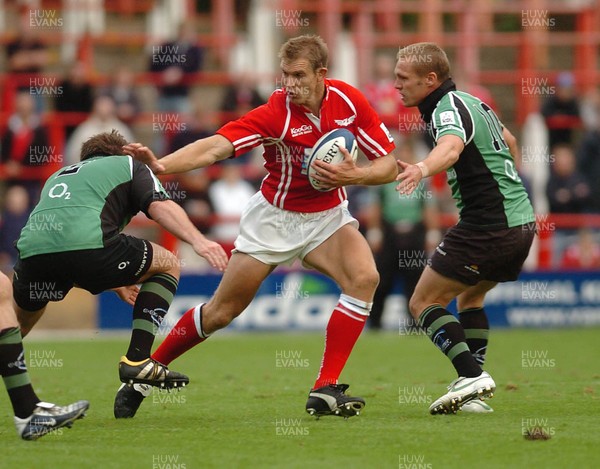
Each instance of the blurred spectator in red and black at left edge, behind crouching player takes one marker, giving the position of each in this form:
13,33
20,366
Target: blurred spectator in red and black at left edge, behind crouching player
25,146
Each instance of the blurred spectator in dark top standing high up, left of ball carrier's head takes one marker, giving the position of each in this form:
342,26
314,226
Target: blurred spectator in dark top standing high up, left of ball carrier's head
174,62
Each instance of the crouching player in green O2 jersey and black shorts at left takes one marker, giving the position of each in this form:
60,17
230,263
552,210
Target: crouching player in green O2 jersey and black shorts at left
73,238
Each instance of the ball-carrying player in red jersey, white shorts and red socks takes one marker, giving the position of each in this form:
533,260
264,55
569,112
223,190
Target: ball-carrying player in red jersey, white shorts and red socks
324,236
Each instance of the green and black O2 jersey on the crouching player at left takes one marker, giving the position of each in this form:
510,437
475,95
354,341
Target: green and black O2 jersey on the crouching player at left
86,205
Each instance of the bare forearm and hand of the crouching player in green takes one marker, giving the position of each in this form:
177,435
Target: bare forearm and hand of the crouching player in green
173,218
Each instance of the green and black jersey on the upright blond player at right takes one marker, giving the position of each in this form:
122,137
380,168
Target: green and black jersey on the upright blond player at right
484,181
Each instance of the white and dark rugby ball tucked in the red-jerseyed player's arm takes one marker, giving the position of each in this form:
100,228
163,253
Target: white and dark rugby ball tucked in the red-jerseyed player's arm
327,149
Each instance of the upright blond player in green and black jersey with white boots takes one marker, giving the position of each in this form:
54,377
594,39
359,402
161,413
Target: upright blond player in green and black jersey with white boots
496,226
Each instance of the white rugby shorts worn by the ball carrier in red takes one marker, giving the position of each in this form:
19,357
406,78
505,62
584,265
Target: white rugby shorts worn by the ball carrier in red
275,236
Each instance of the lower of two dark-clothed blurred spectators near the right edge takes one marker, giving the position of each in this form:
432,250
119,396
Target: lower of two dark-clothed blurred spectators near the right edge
567,190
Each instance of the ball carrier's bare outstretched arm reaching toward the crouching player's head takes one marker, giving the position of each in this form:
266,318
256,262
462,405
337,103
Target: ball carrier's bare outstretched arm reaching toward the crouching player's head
198,154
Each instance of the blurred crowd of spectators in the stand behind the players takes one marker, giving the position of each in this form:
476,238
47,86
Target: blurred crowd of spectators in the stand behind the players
215,198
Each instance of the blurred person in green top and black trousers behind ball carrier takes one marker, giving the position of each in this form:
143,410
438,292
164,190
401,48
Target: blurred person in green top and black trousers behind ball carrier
401,230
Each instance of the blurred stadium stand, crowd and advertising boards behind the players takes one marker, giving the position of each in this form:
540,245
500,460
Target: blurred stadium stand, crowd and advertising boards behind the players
167,72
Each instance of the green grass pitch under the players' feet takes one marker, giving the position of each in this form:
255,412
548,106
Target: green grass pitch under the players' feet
243,410
